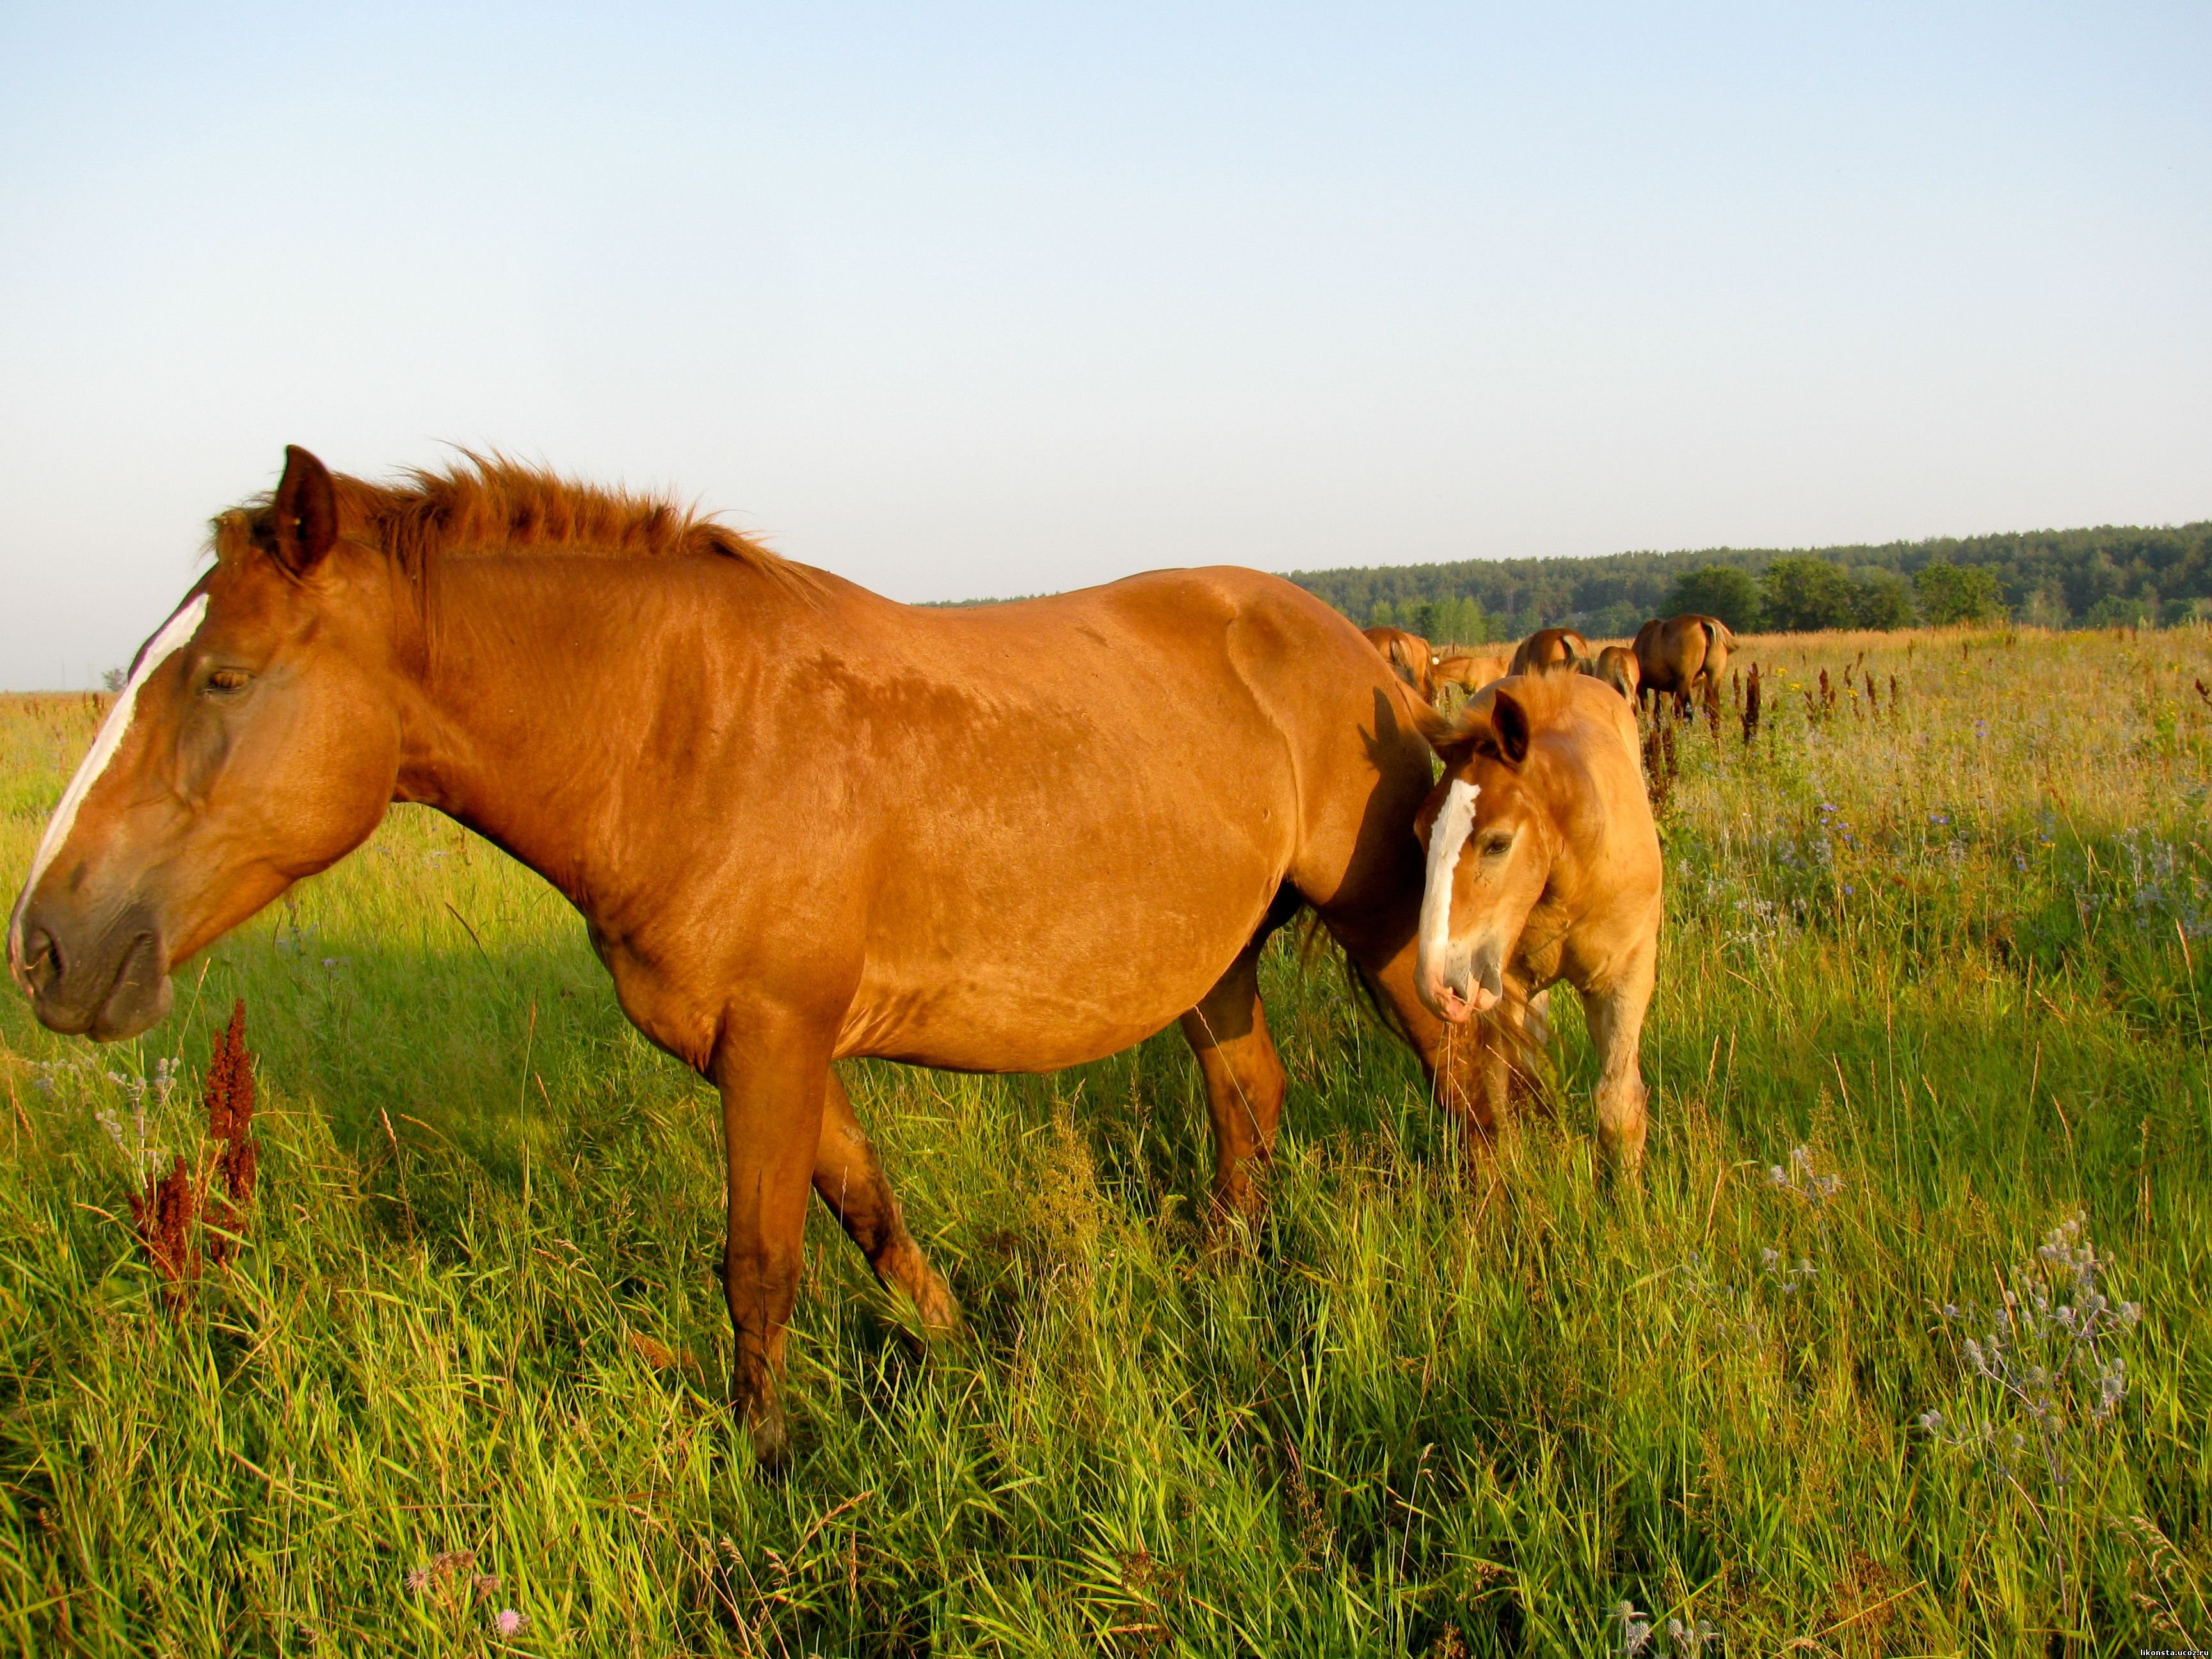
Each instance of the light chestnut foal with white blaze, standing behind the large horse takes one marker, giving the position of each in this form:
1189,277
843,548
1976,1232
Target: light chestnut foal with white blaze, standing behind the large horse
1545,866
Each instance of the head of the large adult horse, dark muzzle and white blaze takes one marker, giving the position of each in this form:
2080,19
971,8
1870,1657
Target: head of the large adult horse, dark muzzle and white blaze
255,742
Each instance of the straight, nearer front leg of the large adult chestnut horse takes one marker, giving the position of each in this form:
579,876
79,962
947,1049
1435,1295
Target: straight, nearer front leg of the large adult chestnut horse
773,1076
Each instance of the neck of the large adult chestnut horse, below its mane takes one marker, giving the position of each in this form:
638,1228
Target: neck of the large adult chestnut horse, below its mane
536,707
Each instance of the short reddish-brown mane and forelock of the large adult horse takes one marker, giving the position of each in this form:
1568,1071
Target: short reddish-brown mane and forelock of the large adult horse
494,505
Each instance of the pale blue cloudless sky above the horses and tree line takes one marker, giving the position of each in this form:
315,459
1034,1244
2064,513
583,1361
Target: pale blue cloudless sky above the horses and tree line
970,302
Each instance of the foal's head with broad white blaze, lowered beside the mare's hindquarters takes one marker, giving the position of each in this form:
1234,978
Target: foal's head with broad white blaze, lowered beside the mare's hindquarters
1490,842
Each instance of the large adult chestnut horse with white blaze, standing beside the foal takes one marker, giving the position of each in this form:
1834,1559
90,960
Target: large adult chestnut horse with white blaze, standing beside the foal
802,822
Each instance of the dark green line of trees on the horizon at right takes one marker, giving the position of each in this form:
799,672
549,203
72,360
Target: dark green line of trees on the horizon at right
2096,578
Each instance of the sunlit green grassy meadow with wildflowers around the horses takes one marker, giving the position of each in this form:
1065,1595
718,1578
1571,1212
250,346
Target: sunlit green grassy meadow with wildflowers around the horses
1901,1346
